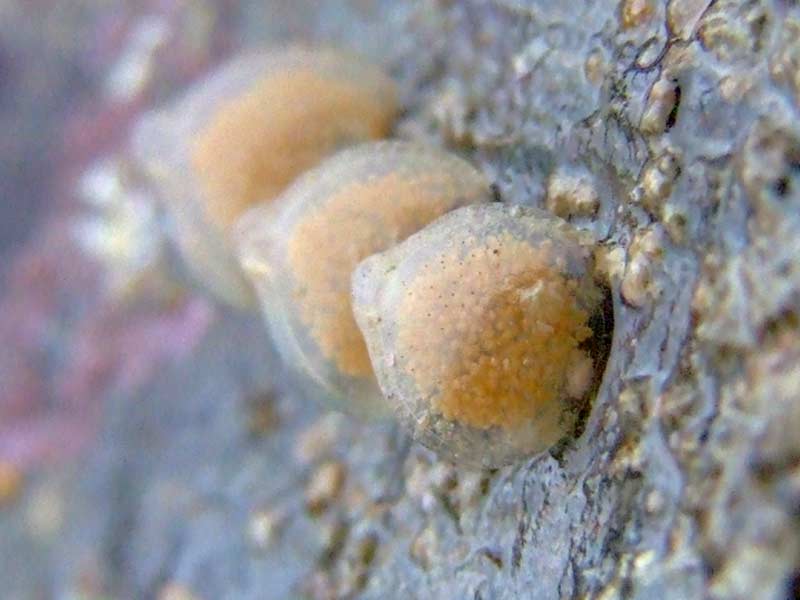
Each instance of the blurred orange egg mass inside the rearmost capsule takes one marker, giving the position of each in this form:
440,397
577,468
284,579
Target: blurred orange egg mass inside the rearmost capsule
259,142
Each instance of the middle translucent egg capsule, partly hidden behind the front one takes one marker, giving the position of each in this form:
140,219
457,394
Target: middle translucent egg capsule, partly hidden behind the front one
300,252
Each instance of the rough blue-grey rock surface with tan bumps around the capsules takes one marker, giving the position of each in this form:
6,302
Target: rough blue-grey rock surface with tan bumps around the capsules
680,126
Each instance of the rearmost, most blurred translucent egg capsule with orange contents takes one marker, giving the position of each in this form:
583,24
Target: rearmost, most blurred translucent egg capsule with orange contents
241,136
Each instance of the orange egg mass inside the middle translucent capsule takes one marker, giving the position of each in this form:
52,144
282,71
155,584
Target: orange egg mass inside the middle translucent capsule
361,219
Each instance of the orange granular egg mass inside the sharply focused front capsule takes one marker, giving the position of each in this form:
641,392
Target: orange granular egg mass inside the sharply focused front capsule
490,336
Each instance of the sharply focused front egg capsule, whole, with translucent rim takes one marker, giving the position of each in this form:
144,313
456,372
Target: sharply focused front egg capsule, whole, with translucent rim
480,329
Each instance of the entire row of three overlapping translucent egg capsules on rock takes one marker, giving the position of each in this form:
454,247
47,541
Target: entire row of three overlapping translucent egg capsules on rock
386,274
